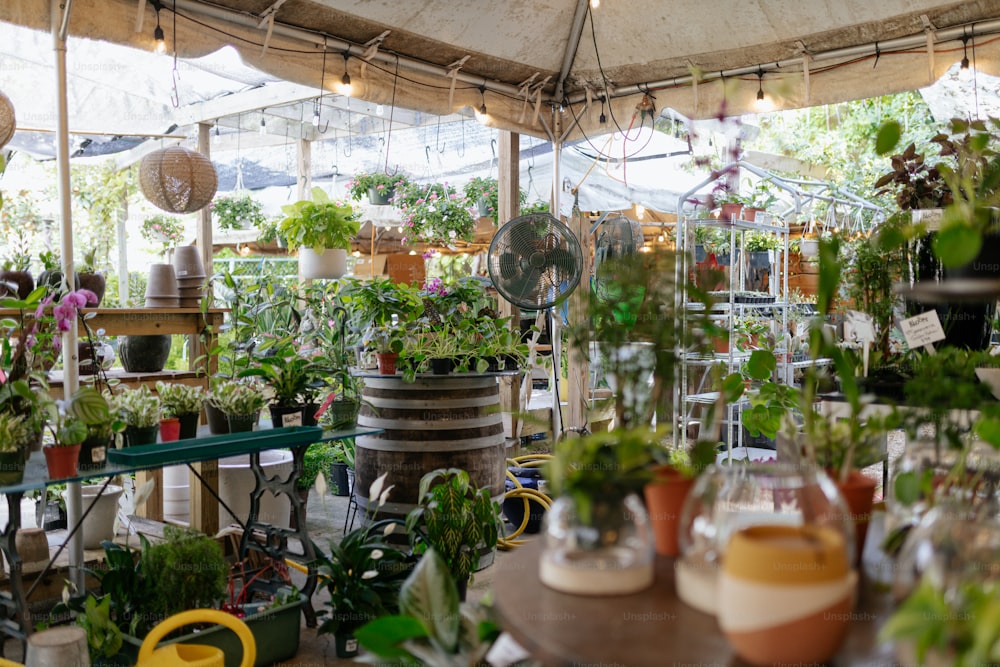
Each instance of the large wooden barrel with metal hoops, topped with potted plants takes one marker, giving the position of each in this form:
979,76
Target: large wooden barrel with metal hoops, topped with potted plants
435,422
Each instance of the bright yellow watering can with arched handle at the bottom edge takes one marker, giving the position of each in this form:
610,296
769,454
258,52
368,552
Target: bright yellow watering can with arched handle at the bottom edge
194,655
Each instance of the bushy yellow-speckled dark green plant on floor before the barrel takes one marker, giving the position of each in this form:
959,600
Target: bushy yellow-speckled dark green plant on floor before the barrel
456,519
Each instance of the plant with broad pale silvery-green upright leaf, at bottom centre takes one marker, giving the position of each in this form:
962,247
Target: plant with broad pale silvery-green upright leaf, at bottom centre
433,628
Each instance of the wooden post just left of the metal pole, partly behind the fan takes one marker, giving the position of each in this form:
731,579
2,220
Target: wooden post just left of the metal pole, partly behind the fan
508,208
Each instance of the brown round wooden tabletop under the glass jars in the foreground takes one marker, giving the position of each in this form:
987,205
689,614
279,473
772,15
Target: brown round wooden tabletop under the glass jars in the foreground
652,628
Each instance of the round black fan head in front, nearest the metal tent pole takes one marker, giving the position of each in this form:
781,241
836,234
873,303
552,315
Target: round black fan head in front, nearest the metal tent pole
535,261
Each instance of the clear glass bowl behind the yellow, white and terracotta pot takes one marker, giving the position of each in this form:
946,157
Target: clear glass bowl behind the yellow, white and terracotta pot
727,498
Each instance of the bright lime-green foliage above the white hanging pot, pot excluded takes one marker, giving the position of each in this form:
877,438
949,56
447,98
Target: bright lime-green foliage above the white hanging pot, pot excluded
319,223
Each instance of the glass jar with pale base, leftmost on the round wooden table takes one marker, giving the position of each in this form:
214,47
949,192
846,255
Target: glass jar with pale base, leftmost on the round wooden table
611,554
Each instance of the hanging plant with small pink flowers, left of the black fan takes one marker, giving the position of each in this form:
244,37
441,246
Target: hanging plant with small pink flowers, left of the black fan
434,213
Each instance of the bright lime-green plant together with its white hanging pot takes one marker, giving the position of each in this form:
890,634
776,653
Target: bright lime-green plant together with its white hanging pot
322,230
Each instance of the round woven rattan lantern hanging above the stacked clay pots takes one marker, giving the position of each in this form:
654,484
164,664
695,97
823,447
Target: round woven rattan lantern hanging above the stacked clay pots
177,179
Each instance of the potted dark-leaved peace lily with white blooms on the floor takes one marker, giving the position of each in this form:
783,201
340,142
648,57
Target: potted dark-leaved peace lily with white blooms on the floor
363,574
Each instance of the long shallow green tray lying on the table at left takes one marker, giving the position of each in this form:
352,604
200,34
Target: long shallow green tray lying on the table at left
214,447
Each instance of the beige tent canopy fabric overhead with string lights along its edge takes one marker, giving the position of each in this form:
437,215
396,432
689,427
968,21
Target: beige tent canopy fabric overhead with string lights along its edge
639,43
